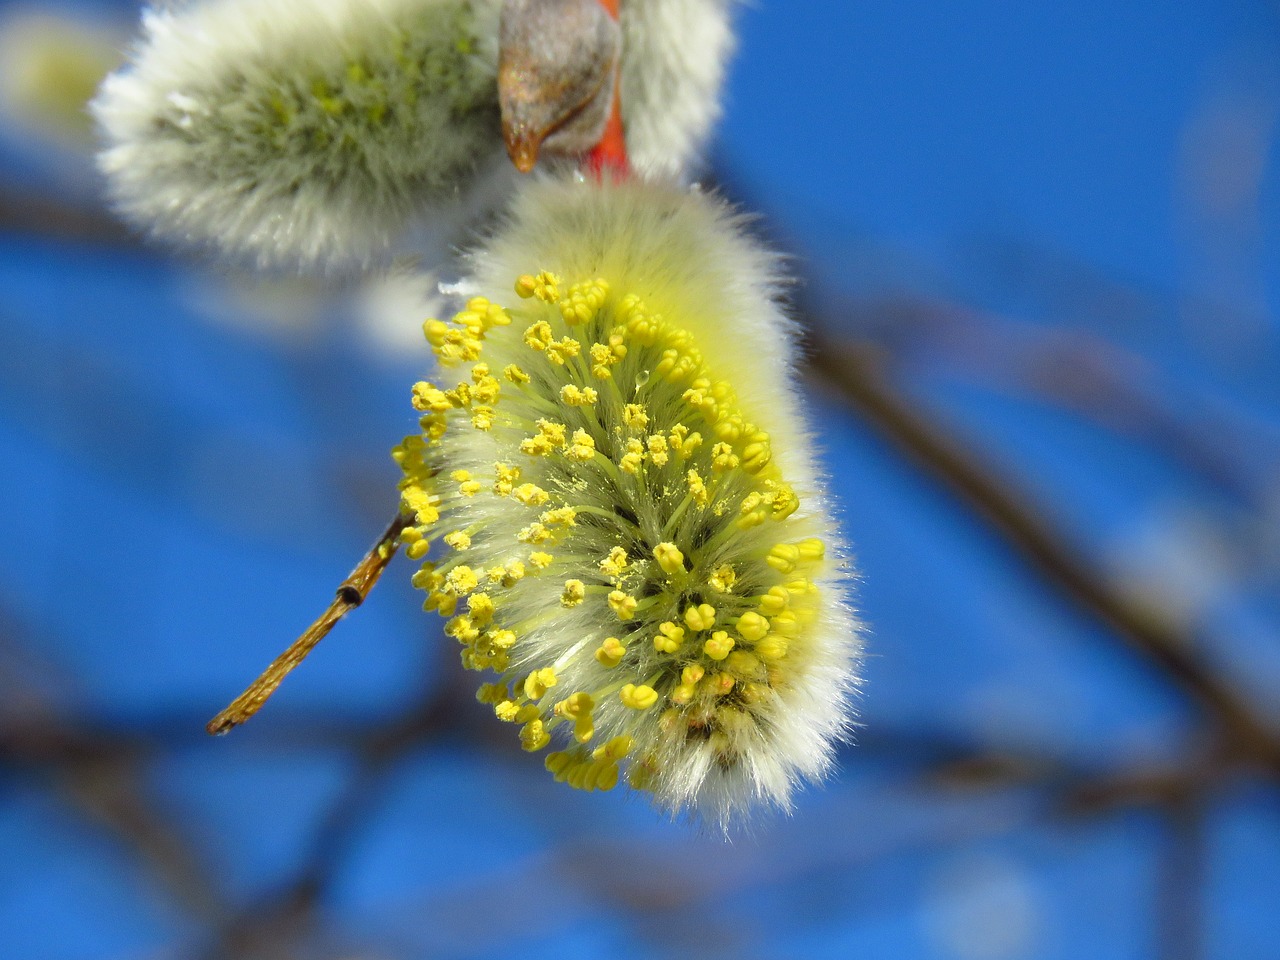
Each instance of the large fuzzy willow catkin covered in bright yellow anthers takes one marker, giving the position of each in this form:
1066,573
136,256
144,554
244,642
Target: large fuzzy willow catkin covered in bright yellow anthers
619,504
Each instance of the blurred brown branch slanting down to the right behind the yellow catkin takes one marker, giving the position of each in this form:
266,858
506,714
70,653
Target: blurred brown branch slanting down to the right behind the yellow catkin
856,373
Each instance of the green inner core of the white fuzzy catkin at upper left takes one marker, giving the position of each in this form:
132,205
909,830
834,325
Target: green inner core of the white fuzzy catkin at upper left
401,111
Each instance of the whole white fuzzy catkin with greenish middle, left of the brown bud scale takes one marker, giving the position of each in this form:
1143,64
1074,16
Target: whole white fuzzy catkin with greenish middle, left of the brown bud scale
300,131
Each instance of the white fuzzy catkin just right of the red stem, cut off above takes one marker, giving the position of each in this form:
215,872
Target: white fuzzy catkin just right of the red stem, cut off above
673,71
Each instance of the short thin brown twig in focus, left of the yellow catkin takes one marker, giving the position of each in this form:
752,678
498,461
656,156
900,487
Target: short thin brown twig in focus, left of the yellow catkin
351,593
